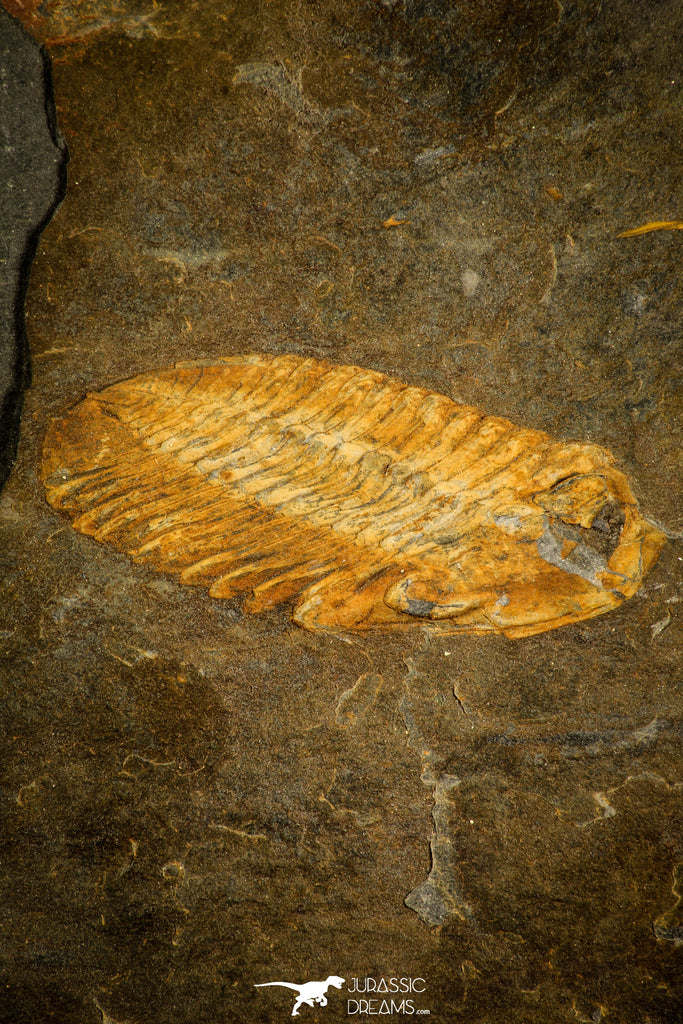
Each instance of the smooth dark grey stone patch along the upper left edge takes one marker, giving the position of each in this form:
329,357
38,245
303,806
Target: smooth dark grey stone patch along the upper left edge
32,181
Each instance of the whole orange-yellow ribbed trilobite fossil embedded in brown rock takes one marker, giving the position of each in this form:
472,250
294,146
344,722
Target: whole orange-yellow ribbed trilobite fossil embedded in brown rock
370,504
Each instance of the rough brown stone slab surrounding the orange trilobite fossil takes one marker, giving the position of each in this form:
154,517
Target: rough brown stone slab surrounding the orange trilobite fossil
196,801
